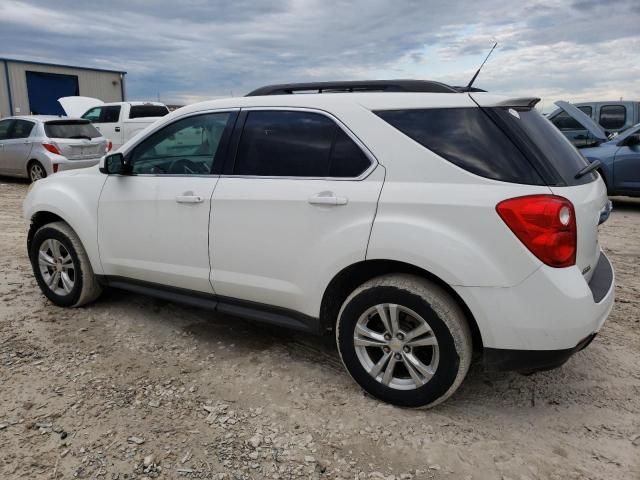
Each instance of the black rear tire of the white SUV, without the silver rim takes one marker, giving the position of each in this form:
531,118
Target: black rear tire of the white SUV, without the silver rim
442,314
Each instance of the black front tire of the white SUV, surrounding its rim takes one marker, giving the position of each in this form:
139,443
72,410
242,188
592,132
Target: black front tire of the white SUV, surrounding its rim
85,286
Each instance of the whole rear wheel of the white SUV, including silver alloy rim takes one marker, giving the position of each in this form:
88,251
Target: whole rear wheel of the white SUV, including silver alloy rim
417,301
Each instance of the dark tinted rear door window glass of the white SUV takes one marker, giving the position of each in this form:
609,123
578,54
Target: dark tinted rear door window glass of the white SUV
297,144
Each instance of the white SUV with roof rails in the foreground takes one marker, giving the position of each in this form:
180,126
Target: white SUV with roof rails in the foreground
416,222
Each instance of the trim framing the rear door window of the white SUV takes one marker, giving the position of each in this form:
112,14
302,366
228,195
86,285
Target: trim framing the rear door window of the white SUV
237,133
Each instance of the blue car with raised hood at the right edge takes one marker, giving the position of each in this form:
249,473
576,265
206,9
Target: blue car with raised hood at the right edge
618,155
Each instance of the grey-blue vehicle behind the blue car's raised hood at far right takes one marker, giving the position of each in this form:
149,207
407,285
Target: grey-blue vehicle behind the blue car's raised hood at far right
613,117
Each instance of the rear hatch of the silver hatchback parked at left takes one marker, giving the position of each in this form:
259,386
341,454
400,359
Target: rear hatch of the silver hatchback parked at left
76,139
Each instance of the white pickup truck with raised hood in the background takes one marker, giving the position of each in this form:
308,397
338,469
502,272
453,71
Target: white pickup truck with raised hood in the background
118,121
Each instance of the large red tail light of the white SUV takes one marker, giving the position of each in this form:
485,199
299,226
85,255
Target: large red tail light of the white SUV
546,224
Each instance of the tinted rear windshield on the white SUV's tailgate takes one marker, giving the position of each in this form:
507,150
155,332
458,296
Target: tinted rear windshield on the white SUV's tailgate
554,157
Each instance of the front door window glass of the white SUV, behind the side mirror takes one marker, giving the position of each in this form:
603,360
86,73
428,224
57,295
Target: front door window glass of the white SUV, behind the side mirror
185,147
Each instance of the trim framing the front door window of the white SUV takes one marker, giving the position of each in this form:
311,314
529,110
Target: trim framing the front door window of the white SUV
225,142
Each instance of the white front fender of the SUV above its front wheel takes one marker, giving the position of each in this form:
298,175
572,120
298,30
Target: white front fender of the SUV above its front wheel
73,197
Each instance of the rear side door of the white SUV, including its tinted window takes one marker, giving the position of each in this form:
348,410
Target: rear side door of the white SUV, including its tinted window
297,204
